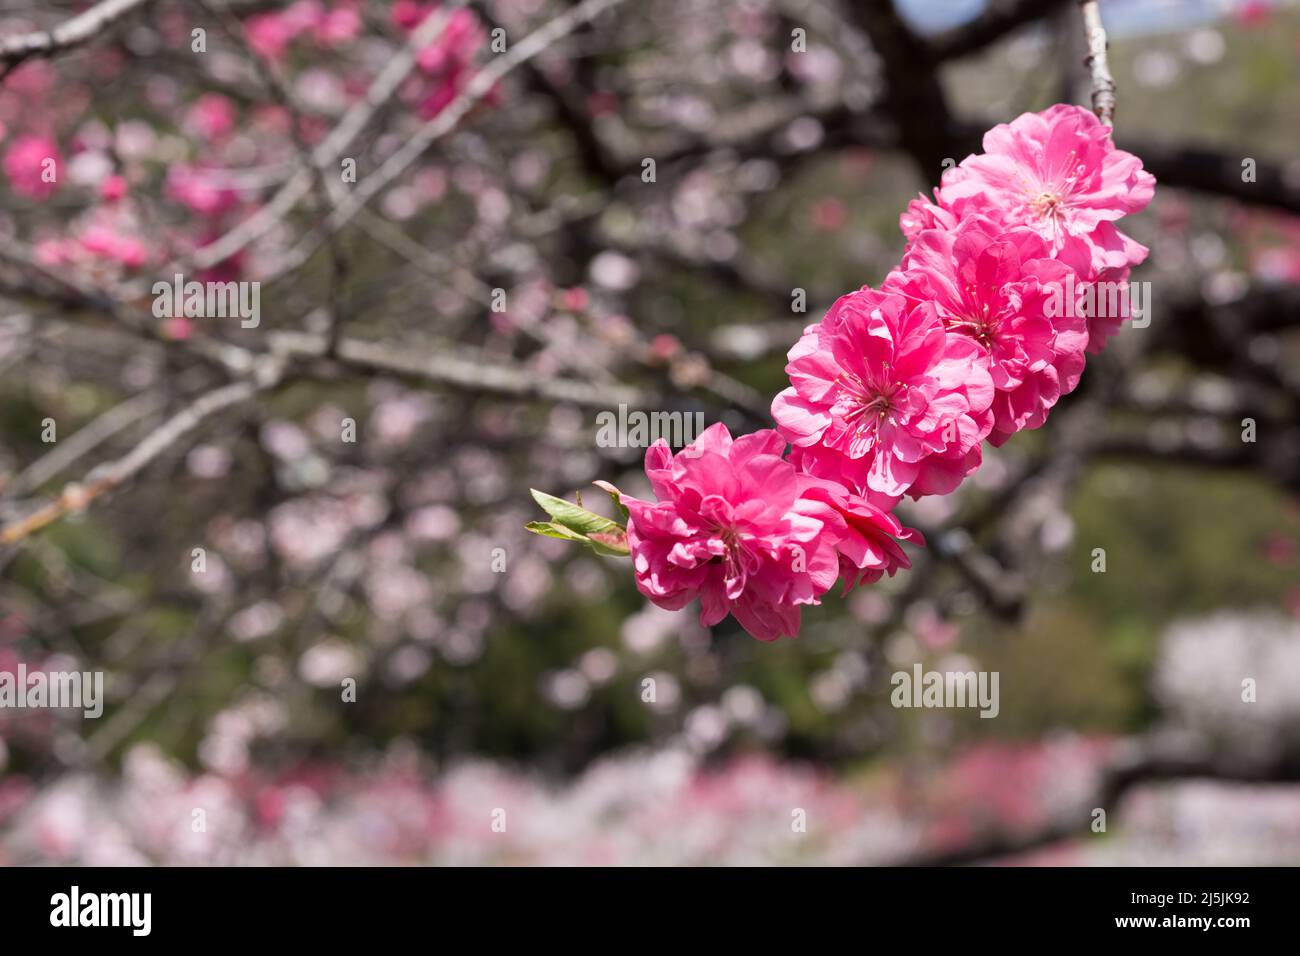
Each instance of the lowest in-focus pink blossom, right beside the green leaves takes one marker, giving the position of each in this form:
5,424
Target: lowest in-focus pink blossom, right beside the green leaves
731,529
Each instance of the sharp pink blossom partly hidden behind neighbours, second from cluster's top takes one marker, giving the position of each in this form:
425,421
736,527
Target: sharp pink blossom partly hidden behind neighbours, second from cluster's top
999,291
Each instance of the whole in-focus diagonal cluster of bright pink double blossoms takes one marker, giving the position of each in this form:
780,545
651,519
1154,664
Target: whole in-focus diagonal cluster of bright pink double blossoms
895,392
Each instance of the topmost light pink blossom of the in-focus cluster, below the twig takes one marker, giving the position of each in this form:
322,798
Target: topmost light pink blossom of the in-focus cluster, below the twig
1058,174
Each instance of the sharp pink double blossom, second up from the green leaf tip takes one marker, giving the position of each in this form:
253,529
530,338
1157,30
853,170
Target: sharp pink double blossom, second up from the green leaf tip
883,400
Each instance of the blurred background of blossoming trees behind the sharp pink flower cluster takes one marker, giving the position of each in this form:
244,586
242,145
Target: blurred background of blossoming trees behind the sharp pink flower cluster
297,552
